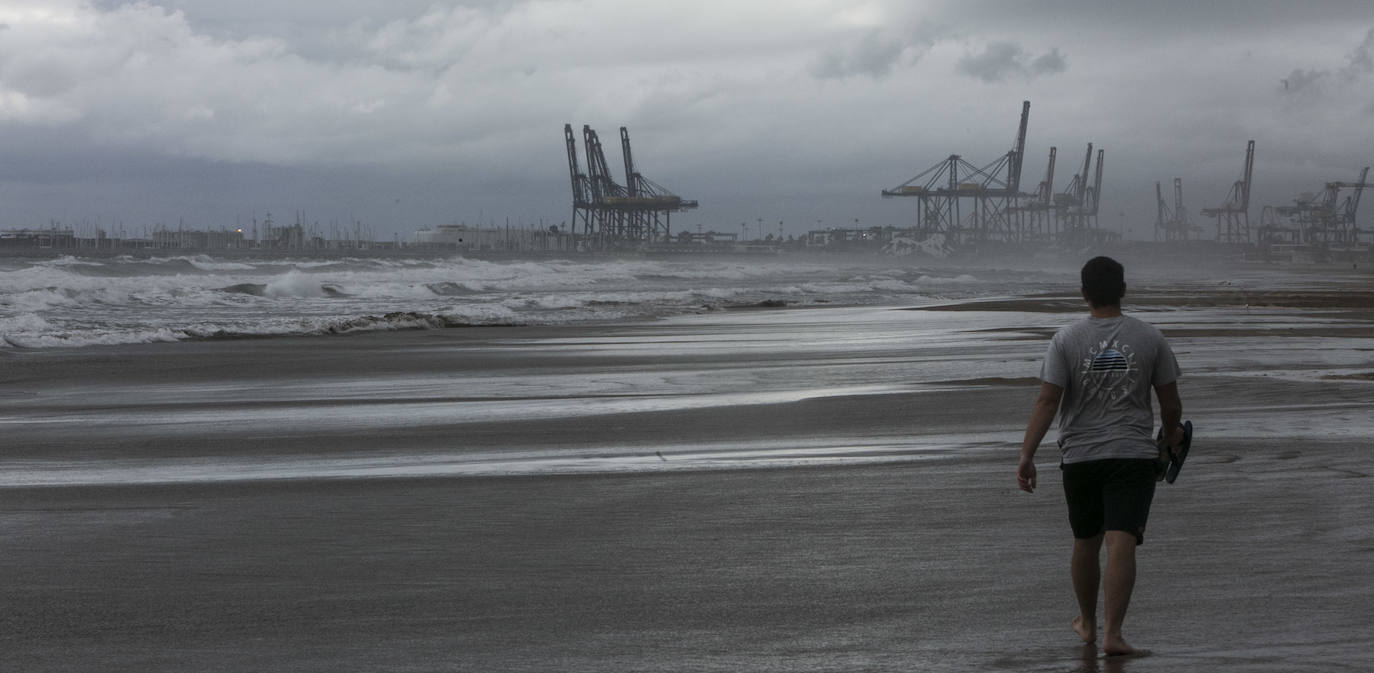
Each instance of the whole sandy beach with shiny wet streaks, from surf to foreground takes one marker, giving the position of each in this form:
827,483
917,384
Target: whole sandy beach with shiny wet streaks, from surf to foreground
822,490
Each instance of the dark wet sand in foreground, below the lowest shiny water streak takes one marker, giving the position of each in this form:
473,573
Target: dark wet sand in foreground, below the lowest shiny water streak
1257,561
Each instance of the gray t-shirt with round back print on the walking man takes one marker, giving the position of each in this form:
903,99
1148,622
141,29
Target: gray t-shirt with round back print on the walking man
1108,367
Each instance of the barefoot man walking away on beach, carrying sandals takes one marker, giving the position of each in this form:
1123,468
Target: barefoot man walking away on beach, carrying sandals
1099,374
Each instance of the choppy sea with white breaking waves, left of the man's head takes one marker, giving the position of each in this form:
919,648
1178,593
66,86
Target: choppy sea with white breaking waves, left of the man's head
71,301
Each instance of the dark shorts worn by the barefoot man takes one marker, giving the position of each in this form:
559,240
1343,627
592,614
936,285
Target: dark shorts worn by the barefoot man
1110,495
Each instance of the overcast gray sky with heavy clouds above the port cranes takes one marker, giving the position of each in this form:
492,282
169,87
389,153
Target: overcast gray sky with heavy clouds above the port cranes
414,113
